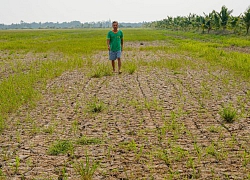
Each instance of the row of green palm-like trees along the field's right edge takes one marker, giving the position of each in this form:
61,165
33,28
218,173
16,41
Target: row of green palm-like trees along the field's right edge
222,21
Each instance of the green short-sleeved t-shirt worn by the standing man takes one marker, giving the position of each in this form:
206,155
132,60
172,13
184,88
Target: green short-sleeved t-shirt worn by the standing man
115,40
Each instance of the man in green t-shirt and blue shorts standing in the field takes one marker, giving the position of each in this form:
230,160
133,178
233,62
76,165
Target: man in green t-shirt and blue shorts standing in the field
115,45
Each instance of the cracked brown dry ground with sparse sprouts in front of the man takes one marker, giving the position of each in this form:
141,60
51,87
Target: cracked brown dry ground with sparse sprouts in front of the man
157,123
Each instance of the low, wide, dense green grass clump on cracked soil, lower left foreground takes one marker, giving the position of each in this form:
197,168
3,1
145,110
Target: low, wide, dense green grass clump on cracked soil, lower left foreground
60,147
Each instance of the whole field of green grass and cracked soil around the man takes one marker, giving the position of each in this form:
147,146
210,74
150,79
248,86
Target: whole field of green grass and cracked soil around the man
179,110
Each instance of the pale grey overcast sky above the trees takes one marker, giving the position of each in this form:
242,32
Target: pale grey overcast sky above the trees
13,11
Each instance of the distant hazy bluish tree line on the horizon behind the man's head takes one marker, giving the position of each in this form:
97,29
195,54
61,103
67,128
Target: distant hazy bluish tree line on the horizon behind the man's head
66,25
